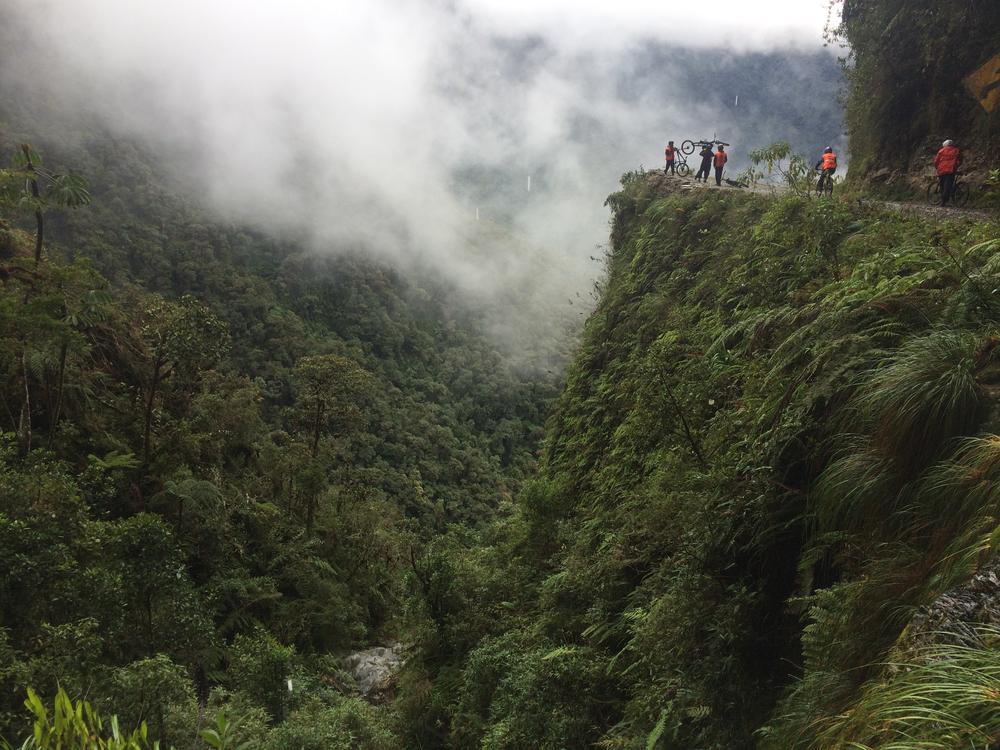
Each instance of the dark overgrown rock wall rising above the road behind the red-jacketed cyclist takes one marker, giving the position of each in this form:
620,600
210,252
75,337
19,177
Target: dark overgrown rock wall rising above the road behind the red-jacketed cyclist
921,73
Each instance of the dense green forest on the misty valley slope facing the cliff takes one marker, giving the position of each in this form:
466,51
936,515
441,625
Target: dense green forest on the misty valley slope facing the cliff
220,455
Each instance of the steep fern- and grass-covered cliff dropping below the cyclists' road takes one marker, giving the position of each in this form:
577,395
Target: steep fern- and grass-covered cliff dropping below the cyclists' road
775,450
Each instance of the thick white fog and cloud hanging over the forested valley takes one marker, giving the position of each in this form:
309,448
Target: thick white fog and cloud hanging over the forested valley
384,126
